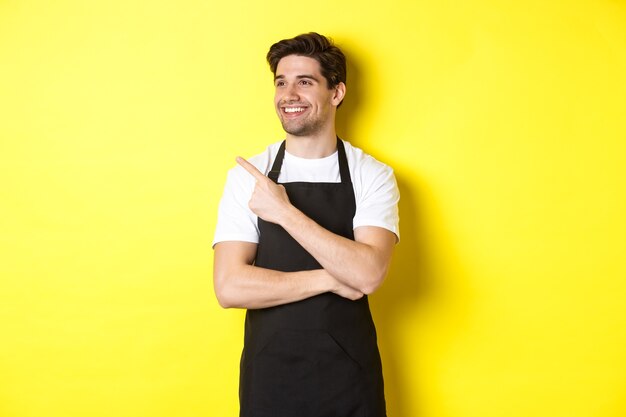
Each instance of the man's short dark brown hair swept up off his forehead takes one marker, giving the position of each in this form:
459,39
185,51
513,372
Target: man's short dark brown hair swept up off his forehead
322,49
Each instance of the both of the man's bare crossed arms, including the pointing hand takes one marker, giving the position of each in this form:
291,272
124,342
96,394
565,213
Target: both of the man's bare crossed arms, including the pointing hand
351,268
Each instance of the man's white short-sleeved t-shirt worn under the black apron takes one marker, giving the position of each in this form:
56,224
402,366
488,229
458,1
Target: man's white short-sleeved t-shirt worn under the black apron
375,190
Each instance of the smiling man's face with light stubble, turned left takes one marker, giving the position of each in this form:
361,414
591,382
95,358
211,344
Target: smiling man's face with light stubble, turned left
304,104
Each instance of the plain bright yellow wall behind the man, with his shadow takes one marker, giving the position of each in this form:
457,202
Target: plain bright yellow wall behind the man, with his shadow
504,121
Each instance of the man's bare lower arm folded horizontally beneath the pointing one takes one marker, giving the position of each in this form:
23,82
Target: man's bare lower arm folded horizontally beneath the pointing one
240,284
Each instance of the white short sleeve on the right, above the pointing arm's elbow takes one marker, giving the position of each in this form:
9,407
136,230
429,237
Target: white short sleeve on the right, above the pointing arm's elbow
377,204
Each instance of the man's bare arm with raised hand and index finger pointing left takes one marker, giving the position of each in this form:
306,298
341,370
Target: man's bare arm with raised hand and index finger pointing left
360,264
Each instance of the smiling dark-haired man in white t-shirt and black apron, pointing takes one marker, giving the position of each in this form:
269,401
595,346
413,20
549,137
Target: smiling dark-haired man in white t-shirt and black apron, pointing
301,248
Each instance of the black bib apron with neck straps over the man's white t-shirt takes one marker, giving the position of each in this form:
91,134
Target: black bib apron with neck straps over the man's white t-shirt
317,357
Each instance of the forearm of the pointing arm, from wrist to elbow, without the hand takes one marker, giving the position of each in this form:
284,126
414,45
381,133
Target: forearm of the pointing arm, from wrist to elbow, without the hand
356,264
